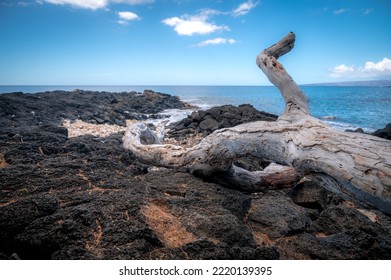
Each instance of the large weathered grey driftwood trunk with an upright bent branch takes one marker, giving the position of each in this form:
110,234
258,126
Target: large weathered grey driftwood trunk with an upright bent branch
352,164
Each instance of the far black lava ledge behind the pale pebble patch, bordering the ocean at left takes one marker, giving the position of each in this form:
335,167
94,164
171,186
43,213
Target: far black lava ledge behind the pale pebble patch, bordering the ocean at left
90,106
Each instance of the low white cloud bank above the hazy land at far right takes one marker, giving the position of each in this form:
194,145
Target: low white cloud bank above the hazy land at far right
370,70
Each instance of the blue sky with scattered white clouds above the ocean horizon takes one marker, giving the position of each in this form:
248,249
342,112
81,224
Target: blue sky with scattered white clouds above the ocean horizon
190,42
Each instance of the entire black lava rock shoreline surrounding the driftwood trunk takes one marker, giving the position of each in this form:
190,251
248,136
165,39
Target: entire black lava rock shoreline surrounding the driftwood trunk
68,190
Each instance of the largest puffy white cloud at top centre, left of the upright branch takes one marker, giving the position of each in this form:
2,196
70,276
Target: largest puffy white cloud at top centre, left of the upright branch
190,25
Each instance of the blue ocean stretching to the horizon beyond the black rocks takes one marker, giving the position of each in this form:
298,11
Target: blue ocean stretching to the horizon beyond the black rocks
343,107
